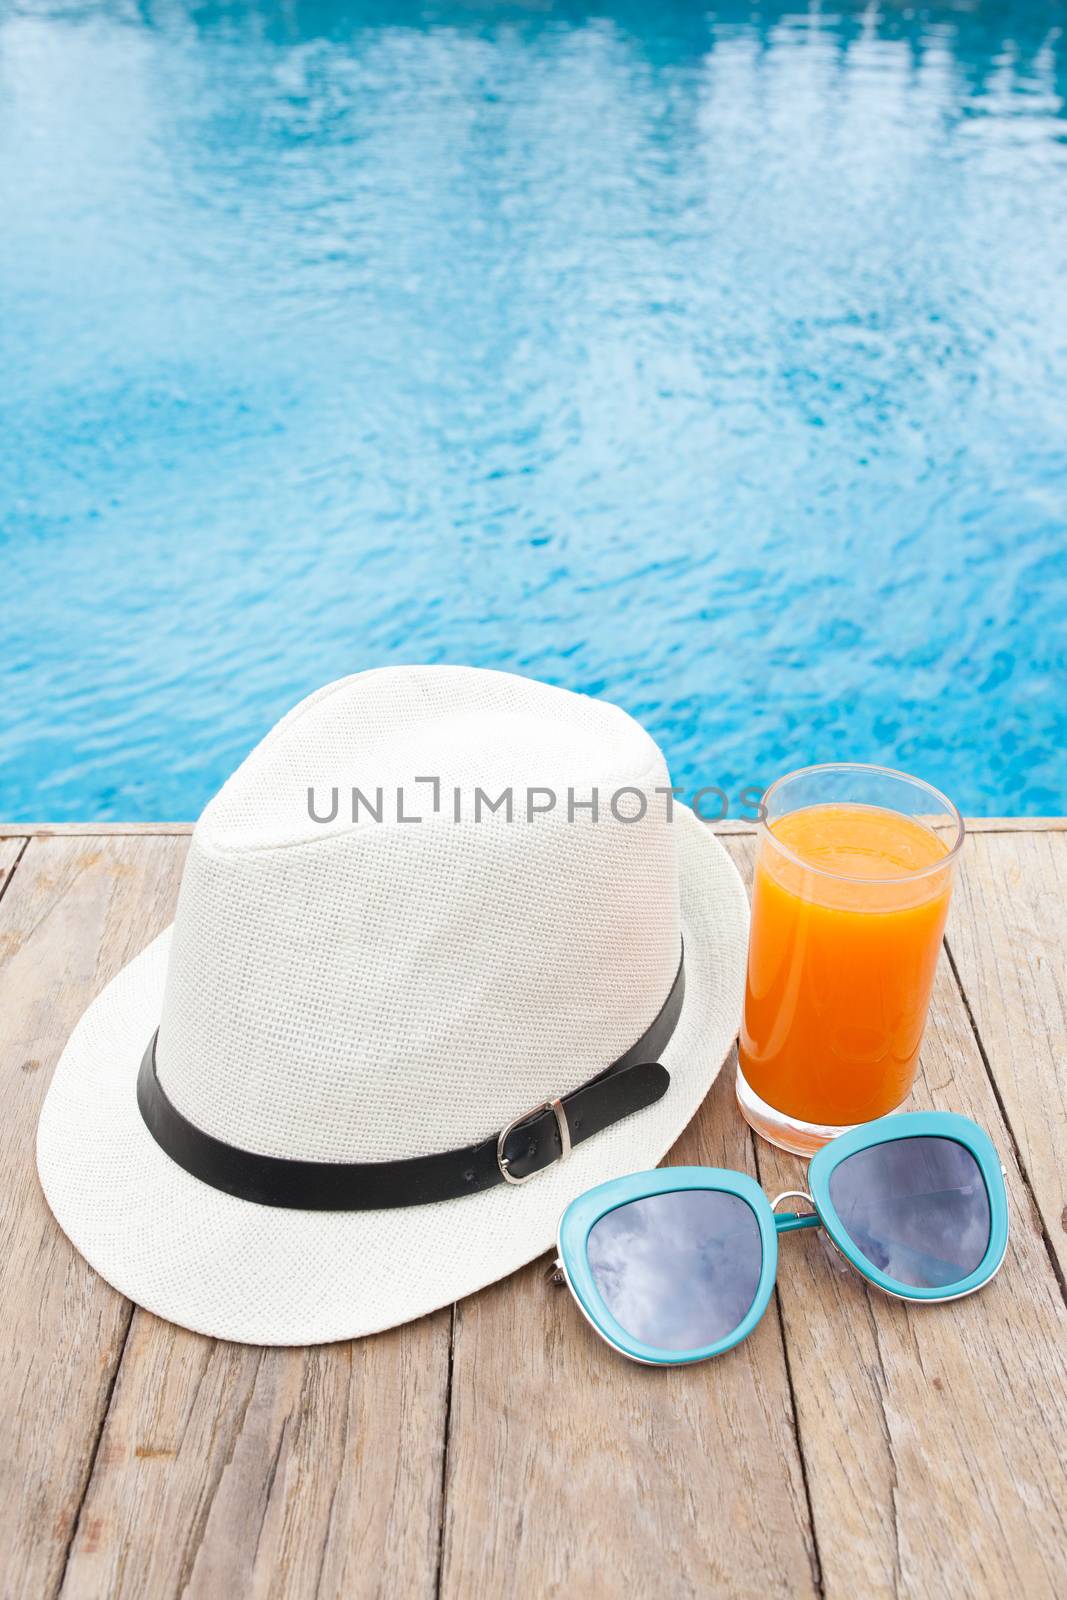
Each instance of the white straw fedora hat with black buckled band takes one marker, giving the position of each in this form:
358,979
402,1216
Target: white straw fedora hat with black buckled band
353,1014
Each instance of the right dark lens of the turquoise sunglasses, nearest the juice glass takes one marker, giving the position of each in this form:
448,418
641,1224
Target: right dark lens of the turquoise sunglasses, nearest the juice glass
917,1209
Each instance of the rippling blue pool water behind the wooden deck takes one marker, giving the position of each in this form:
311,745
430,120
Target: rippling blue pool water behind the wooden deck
708,359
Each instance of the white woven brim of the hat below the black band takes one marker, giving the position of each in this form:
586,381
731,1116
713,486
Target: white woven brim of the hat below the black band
265,1276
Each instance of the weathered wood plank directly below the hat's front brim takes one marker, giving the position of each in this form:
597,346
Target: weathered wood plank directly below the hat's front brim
228,1470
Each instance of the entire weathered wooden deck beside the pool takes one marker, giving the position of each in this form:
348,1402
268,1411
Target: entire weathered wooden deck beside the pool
852,1447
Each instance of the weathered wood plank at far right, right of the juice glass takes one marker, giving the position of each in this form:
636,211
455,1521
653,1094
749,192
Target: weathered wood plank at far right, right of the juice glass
1009,940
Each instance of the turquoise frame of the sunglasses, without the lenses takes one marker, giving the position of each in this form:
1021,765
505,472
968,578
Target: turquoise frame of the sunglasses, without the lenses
589,1209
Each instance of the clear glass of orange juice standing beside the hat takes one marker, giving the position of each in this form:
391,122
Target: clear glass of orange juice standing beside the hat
850,900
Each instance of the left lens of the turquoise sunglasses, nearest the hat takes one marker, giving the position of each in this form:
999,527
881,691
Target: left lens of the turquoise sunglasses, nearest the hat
679,1271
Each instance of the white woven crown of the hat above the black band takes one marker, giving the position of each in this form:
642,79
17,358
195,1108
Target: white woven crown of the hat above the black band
383,988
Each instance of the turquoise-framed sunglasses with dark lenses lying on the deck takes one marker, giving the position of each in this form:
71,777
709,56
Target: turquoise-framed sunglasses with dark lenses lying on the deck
677,1265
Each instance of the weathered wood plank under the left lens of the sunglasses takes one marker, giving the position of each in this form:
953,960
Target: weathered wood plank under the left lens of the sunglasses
577,1473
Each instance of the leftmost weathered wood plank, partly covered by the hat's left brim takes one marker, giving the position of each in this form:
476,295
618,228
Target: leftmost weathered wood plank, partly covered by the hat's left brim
74,913
